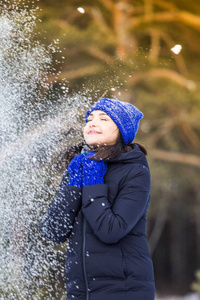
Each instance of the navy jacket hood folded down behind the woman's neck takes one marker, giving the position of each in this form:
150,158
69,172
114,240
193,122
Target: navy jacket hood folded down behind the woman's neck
133,156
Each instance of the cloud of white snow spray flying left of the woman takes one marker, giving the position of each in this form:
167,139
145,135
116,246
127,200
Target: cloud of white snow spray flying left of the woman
36,126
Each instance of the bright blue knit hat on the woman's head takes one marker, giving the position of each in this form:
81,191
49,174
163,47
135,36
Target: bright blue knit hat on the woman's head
125,115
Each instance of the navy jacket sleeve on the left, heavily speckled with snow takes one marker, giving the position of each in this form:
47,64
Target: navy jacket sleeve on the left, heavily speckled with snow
58,222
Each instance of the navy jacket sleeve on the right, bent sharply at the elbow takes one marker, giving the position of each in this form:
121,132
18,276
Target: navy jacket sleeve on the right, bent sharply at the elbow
110,224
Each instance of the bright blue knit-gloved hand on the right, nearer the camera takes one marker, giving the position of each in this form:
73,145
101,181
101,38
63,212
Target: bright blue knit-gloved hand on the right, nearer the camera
93,171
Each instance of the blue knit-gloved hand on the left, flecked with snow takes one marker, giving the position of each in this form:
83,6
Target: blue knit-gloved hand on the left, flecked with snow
75,171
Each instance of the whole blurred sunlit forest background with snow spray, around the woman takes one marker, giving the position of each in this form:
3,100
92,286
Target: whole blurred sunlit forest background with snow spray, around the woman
56,59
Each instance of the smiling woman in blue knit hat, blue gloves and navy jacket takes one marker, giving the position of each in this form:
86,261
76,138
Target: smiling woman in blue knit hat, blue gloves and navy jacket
101,208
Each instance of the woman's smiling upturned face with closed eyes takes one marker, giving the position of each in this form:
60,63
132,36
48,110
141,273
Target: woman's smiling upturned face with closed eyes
100,129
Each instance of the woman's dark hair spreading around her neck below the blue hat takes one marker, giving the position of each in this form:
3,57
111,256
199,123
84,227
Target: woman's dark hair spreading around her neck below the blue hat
104,151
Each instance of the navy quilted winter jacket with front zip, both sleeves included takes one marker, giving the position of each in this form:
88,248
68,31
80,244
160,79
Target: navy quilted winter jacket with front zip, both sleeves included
108,257
